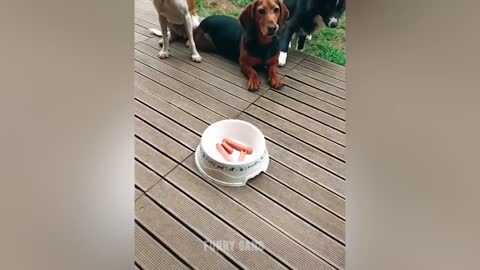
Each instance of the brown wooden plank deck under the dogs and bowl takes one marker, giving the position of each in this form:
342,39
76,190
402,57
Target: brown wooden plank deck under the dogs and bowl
295,211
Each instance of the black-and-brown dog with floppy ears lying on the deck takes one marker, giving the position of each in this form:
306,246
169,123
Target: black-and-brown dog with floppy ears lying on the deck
252,40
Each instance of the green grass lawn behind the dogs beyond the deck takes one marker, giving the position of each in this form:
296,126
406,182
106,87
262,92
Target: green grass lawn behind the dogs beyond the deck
329,43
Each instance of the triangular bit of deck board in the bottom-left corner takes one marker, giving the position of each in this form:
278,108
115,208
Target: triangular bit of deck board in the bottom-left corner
150,255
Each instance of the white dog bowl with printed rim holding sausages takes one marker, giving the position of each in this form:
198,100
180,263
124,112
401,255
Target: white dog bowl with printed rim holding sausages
214,167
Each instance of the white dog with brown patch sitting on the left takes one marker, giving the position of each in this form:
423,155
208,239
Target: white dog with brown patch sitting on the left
180,18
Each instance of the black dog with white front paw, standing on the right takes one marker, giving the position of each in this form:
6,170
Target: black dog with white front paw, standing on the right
307,16
